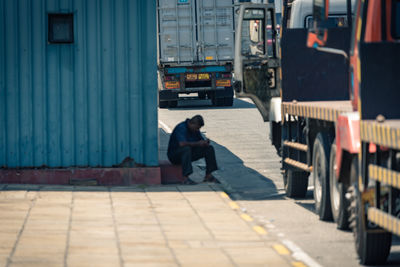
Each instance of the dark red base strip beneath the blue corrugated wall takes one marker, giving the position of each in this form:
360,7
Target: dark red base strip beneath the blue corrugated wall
83,176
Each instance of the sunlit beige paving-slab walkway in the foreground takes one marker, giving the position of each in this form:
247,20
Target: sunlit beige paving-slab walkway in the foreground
130,226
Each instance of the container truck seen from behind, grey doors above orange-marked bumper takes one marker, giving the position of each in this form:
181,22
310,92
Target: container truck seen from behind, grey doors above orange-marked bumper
195,50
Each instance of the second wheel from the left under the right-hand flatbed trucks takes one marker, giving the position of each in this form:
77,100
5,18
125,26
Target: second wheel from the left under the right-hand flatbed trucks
321,151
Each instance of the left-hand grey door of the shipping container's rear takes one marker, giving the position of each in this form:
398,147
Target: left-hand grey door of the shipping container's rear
177,32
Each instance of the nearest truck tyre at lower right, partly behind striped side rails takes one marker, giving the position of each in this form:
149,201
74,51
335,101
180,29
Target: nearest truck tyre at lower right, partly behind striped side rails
372,248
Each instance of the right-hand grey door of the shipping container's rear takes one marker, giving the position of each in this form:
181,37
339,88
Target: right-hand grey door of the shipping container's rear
215,30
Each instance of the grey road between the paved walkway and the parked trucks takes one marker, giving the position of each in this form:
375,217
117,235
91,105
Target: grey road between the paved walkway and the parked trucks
250,171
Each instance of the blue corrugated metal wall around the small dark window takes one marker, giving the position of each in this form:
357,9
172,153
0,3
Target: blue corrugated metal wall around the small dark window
91,103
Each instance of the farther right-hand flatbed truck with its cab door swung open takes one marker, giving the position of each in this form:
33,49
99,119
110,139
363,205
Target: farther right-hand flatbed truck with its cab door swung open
311,100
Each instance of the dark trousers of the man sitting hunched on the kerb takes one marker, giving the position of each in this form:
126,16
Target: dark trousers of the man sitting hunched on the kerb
185,155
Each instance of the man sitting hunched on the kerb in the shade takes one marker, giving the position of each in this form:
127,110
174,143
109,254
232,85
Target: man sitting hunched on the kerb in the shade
186,144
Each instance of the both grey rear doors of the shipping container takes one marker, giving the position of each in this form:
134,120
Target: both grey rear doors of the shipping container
196,31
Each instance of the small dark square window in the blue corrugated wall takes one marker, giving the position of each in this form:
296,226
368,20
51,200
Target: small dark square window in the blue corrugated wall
61,28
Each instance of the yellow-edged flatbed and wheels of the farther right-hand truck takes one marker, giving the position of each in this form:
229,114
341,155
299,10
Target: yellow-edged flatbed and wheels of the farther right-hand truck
309,146
